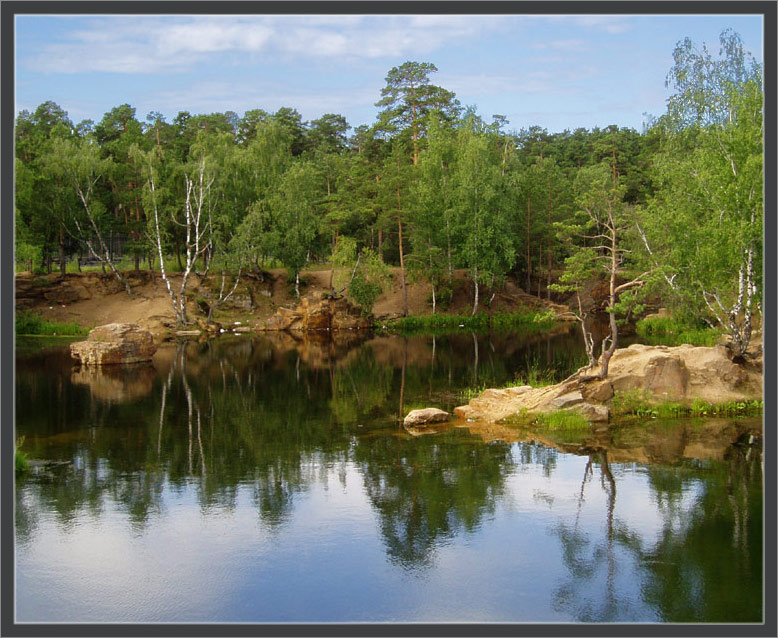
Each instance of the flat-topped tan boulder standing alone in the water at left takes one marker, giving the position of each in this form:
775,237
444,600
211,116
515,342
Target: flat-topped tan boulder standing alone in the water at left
115,343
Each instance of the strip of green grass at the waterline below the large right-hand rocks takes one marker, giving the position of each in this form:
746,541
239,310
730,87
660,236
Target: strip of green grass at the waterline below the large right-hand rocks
638,404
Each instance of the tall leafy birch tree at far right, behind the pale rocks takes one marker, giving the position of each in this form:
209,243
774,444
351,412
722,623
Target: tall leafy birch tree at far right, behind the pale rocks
704,223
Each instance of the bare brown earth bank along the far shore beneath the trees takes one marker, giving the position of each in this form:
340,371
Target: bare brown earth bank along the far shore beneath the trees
91,298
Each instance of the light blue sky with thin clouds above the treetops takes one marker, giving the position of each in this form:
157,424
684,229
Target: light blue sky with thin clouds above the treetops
553,71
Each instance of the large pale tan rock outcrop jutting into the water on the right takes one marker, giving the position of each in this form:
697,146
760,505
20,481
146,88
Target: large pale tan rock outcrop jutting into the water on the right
658,373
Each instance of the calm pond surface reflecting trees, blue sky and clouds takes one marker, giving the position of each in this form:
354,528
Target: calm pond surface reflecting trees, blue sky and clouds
268,480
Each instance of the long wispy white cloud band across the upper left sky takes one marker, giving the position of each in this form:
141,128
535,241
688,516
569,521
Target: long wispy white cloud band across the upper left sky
144,44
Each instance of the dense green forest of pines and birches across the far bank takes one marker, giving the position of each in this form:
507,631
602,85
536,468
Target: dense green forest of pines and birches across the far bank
673,212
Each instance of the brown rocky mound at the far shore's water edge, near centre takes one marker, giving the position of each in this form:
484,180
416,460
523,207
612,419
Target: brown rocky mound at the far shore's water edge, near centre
317,312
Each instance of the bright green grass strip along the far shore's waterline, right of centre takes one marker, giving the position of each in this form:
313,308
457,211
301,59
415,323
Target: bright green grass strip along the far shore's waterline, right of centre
531,321
